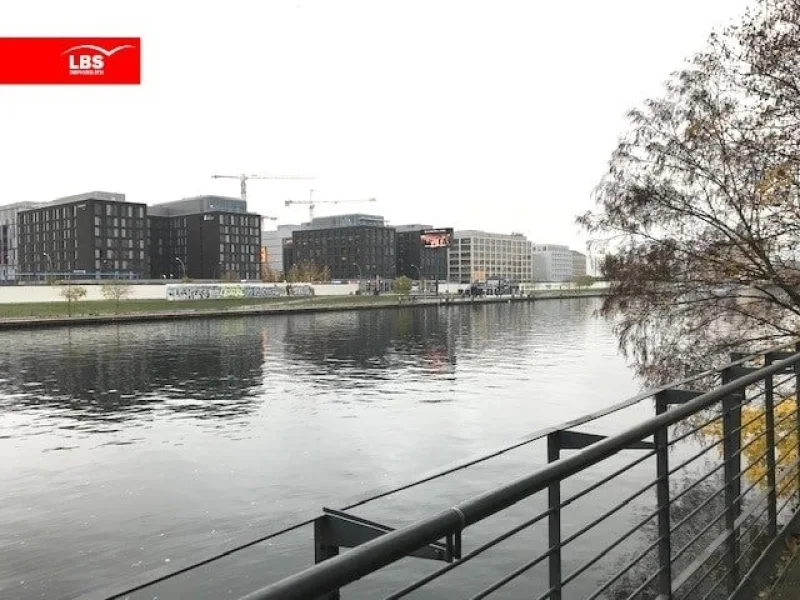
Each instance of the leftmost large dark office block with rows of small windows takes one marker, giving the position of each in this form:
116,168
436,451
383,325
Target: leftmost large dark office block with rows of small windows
96,233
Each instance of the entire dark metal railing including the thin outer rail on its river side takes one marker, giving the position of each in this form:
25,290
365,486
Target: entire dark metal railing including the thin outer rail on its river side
704,534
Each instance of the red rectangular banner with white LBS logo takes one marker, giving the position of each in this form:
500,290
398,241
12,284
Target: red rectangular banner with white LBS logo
70,61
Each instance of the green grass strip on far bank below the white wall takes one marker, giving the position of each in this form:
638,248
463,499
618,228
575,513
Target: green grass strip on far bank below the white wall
109,307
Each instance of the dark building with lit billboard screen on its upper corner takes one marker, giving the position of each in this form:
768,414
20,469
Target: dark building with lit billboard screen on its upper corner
422,252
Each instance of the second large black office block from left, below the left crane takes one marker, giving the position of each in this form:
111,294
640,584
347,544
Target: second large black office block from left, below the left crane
205,237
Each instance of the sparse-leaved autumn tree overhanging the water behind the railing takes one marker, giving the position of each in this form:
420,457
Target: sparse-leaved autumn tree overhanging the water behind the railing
701,203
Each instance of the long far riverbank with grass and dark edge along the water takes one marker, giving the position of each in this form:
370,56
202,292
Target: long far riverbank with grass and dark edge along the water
59,314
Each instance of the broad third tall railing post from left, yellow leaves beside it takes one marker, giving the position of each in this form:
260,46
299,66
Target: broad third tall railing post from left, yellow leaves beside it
731,450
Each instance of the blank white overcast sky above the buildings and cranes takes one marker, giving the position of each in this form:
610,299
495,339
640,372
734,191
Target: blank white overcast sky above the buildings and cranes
477,115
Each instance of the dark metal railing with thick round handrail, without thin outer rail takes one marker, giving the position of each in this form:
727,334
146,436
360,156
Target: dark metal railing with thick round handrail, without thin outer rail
720,560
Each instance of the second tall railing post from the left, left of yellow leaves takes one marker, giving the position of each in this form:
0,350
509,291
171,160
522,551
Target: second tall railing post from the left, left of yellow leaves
661,439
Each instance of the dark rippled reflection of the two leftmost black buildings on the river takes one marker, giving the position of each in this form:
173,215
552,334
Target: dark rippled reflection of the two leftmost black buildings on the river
110,376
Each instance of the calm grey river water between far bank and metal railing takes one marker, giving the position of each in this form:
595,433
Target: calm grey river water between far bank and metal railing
127,448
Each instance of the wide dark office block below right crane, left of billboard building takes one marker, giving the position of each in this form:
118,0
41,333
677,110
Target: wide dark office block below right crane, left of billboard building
351,246
